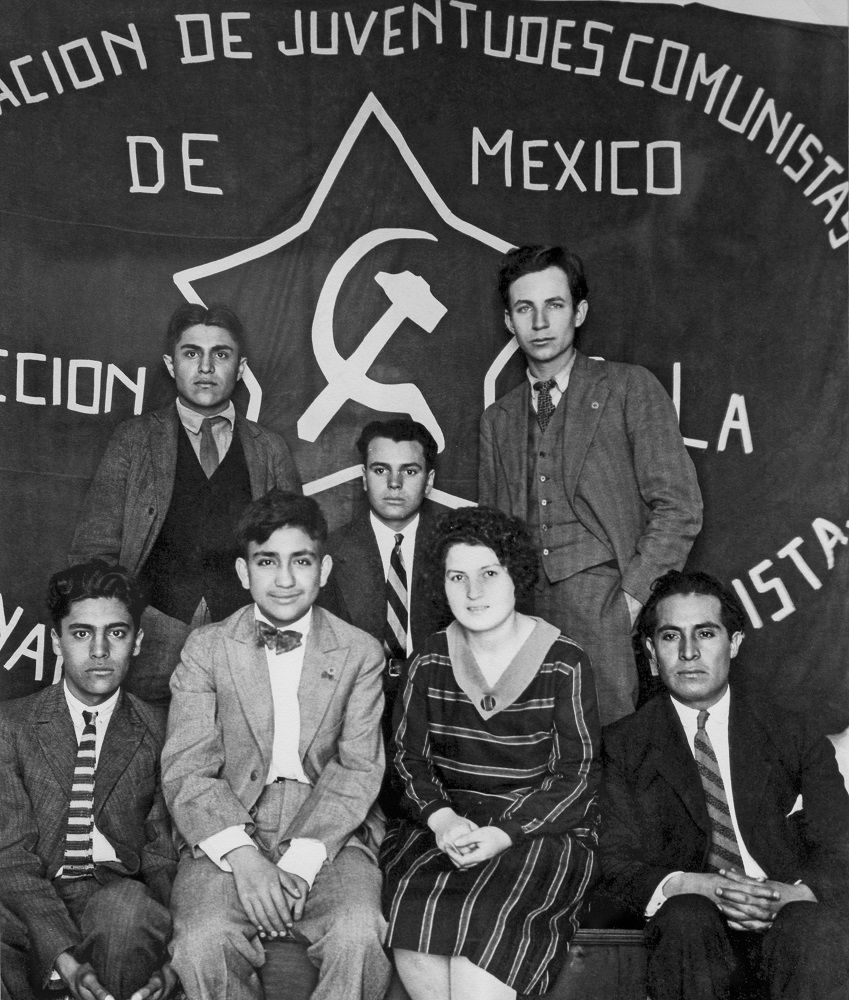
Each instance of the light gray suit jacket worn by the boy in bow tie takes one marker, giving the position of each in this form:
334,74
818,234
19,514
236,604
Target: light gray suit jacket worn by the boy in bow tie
221,726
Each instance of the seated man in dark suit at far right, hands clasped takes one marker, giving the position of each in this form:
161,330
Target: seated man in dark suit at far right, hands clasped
725,820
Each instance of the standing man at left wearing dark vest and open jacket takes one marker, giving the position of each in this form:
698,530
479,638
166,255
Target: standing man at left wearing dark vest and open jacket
171,485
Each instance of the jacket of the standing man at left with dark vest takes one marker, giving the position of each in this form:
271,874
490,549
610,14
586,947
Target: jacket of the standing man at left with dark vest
128,499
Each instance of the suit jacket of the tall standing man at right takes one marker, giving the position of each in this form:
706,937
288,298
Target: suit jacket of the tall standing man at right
625,469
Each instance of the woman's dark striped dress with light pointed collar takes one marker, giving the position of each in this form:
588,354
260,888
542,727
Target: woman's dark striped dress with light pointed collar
521,755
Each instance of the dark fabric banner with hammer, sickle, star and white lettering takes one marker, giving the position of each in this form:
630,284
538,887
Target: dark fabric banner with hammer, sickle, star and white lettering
347,176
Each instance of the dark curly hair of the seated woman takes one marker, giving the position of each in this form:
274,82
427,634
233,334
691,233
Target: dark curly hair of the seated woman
507,536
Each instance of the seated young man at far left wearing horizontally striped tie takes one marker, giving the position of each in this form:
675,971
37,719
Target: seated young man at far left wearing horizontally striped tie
86,853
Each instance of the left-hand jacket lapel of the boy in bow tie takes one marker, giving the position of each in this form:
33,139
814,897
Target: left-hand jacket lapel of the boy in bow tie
248,668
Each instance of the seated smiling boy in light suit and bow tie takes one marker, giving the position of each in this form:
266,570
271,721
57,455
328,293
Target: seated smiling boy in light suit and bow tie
271,766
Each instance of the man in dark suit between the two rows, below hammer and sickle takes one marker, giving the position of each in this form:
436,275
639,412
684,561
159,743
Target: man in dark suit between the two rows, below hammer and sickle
376,583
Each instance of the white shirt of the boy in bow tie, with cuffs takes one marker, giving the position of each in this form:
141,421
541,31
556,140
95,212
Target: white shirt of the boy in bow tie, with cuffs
304,856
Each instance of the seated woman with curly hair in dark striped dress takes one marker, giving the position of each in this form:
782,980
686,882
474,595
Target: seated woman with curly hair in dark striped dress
496,751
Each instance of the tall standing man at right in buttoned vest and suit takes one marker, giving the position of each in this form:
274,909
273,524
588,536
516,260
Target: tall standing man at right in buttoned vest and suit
589,453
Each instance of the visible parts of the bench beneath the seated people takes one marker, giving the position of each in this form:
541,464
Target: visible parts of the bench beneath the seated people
603,964
